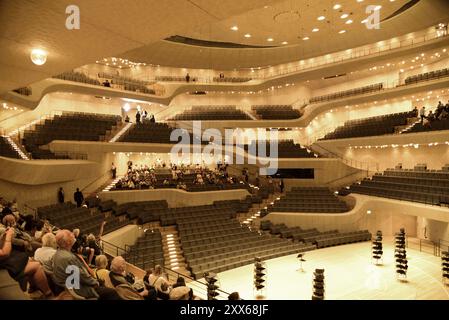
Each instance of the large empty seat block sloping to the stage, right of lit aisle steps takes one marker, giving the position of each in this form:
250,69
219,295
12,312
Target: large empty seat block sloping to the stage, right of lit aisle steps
213,241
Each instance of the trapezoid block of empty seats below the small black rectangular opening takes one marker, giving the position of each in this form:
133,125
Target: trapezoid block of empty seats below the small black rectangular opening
308,200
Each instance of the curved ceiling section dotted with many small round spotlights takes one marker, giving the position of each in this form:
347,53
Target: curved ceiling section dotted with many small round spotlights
261,24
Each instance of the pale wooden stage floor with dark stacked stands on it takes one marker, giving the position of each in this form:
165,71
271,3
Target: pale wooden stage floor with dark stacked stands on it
349,275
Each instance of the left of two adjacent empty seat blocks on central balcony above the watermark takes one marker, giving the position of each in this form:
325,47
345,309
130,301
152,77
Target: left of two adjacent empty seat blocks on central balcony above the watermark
212,113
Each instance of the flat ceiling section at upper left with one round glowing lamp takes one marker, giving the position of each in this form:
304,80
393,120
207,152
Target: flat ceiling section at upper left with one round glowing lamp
108,28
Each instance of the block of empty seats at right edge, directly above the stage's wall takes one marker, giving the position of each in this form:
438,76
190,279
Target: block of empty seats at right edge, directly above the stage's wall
424,186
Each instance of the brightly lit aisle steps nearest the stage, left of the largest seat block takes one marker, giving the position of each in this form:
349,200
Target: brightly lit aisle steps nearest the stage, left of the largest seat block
173,254
